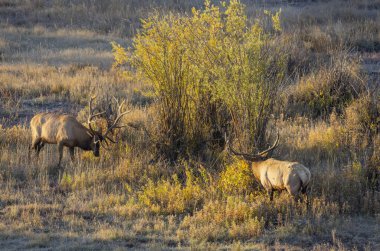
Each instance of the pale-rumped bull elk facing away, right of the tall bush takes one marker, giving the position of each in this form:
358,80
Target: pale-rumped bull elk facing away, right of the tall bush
277,174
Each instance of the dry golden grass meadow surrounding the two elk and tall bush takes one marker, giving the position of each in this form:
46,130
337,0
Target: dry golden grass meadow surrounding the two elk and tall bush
54,54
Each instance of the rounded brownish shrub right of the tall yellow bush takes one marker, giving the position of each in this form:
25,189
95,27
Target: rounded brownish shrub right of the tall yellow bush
331,88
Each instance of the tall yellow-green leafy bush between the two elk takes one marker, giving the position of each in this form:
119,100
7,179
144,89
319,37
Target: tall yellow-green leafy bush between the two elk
202,66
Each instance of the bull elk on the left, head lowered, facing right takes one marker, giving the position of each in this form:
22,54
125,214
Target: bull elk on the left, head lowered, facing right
65,130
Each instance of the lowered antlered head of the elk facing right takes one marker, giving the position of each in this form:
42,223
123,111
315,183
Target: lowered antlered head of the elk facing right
98,138
